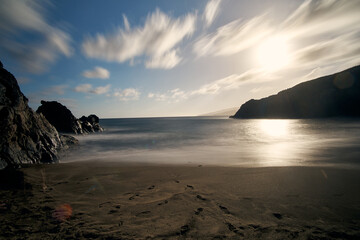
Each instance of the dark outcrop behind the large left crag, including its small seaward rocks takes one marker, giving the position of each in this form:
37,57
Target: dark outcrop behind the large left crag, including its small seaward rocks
65,122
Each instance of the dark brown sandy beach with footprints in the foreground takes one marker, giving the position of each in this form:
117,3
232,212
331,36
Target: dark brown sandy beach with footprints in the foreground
90,200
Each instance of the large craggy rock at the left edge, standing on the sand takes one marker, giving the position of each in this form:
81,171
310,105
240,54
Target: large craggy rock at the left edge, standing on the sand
25,136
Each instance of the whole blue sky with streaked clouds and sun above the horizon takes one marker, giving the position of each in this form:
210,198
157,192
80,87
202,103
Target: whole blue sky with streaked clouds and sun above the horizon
155,58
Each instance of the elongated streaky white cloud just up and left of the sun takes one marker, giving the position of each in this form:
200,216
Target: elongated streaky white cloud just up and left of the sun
233,37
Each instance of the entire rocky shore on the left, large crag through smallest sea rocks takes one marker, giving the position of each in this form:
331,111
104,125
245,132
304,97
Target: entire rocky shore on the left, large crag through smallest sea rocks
29,137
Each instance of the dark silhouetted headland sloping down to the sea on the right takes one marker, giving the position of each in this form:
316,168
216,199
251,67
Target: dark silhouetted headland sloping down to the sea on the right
336,95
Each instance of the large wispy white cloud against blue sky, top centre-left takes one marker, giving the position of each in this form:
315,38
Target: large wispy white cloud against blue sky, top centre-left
156,39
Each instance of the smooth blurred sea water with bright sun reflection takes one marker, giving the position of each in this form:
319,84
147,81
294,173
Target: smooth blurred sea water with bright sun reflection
223,141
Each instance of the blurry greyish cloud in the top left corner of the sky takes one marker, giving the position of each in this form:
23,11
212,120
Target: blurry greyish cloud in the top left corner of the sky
20,17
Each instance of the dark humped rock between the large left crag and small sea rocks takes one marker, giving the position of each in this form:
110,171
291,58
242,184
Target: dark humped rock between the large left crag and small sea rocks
60,117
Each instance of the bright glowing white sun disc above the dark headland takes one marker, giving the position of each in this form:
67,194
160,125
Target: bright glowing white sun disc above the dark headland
273,53
